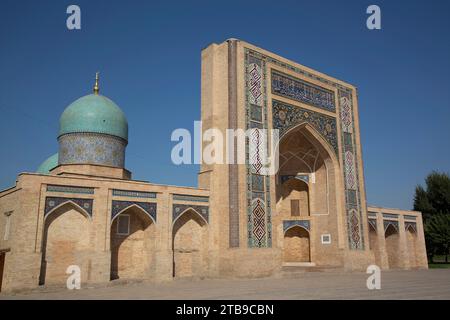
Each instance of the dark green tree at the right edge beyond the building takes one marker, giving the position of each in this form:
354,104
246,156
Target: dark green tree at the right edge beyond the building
434,201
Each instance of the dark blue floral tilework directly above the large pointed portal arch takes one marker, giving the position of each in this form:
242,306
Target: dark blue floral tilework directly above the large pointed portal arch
286,116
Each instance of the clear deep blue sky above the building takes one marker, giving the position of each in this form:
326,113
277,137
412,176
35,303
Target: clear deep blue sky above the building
148,54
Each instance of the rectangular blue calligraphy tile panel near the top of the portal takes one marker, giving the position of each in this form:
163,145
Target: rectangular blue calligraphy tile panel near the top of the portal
302,91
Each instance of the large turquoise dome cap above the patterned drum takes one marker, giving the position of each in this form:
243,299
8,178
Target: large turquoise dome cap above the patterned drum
96,114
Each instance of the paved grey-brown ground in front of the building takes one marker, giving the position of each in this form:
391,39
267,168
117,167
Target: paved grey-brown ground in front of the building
423,284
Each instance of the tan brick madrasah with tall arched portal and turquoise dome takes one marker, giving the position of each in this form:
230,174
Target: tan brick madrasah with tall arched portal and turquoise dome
83,208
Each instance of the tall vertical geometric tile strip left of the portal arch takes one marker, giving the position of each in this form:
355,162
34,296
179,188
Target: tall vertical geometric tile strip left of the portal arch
259,223
